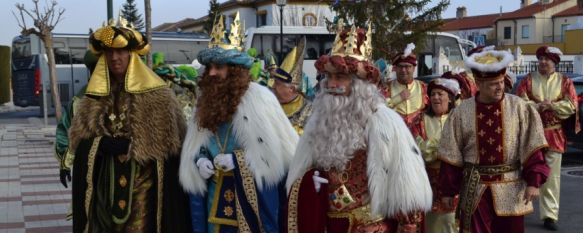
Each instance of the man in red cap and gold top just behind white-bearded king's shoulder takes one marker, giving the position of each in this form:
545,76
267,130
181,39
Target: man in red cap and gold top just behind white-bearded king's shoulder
405,95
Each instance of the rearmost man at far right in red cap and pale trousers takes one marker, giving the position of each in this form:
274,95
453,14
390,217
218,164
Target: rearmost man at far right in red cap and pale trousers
554,96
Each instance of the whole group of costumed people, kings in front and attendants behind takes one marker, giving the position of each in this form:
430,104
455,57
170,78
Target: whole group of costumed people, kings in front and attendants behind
262,152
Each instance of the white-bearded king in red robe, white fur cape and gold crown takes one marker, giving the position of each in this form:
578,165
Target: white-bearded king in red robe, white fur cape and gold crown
356,168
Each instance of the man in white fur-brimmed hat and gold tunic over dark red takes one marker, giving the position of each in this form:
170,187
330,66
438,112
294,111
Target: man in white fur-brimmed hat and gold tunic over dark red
491,150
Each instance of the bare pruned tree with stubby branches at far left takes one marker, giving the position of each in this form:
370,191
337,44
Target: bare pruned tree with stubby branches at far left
44,21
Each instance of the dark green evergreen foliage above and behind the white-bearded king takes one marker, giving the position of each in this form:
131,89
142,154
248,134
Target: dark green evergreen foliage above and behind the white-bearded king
390,20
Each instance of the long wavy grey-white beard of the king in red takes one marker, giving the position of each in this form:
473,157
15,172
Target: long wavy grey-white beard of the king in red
336,128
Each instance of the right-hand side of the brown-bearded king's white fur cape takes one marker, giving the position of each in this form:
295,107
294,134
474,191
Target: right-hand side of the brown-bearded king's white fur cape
267,136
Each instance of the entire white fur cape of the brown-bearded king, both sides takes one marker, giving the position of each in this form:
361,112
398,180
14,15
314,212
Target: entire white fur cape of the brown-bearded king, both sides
260,128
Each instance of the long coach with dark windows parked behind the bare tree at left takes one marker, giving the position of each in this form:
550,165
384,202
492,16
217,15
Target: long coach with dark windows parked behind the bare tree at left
30,68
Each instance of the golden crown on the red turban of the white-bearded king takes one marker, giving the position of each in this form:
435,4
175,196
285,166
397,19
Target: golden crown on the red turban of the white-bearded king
346,43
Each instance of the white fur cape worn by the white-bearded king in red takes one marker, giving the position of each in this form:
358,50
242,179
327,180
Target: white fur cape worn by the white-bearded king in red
397,179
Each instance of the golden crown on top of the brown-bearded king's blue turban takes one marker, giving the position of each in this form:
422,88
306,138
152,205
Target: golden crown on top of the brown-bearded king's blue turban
236,36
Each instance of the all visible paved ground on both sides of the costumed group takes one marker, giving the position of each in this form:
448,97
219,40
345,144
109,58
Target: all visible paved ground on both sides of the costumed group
33,200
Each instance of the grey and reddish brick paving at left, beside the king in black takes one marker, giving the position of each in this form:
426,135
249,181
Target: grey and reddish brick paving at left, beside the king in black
31,196
